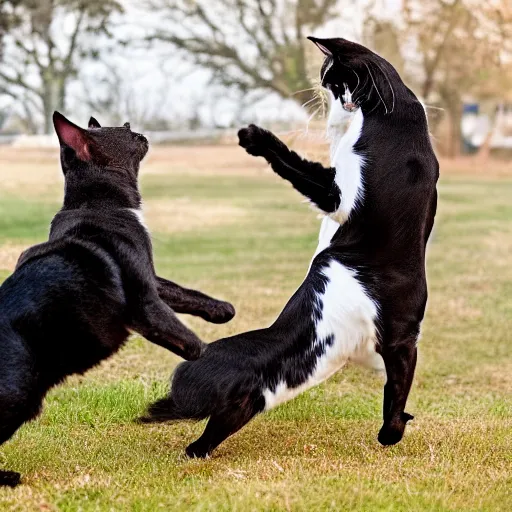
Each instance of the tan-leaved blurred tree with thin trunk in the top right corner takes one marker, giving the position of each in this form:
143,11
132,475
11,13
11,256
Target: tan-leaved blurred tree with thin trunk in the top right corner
458,50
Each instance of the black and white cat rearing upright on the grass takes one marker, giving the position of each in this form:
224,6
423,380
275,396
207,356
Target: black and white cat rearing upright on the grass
365,294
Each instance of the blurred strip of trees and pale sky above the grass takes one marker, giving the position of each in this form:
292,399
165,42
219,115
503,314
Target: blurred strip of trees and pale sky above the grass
192,69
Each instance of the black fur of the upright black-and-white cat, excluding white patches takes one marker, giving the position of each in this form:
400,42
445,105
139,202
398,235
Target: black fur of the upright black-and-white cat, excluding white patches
384,241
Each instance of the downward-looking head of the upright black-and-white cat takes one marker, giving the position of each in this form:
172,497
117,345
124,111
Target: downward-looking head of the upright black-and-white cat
359,78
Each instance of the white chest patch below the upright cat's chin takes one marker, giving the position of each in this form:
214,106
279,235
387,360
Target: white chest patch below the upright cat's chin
348,167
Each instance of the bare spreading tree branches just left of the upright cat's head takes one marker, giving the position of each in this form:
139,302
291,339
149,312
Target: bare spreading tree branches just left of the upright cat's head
249,45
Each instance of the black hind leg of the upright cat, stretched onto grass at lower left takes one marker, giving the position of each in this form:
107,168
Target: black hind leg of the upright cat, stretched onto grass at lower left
218,429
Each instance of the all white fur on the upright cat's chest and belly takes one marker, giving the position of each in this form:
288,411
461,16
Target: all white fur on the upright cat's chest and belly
348,313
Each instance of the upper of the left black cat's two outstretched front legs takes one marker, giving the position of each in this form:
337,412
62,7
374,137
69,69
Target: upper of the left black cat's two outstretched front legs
192,302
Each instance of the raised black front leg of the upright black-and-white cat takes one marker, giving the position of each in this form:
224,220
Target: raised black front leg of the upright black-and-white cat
311,179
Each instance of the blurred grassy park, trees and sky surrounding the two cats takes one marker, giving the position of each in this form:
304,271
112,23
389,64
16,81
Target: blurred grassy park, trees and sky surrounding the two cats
189,73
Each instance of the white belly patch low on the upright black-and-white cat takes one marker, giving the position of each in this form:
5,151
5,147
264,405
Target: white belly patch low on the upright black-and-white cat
347,322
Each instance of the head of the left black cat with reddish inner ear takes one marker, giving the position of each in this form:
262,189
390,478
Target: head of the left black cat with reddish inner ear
116,150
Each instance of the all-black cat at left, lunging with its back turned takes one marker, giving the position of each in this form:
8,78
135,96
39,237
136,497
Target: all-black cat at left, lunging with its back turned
73,300
